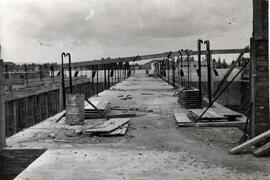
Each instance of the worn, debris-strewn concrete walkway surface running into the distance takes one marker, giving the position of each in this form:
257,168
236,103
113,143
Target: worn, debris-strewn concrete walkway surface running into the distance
153,148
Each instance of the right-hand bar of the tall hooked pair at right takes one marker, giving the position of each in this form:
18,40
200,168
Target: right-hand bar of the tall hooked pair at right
209,73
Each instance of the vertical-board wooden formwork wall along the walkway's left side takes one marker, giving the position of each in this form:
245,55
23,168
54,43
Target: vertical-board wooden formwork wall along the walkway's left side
24,112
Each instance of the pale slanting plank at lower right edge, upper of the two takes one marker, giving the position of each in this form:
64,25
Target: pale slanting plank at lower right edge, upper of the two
250,142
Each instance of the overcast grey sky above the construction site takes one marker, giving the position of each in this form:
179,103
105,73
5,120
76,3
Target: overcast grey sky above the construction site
39,30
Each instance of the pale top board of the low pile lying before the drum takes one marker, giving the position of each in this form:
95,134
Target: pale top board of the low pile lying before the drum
108,126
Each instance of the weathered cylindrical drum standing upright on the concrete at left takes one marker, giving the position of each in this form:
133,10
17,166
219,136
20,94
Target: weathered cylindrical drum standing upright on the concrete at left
75,109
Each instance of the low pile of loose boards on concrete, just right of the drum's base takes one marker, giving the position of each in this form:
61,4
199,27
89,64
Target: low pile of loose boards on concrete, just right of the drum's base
112,127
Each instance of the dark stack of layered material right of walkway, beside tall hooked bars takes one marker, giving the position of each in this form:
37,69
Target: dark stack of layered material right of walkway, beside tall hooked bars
189,98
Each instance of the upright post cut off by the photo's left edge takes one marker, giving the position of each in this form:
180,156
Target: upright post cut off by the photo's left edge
2,108
